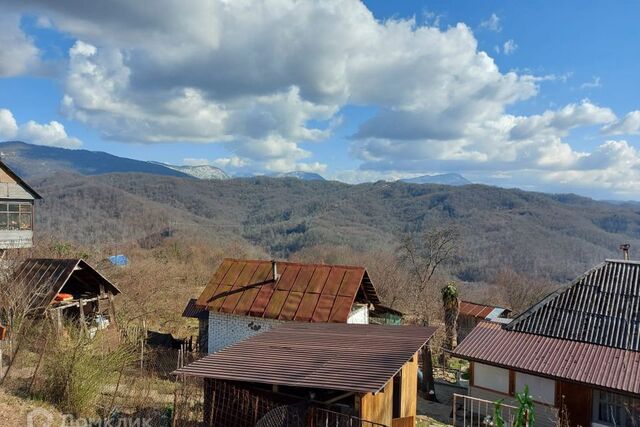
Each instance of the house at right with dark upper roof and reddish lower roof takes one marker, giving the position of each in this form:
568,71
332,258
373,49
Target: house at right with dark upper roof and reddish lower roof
578,351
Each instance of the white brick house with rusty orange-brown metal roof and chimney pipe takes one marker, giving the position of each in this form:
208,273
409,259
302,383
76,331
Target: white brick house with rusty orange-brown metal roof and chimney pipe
246,297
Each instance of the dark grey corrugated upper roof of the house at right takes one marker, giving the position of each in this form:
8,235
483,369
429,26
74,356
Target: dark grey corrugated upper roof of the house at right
601,307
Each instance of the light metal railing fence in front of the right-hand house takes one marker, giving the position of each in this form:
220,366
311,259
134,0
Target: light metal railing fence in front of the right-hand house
473,412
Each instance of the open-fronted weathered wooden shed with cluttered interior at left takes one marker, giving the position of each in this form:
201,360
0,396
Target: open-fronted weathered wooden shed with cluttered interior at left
69,289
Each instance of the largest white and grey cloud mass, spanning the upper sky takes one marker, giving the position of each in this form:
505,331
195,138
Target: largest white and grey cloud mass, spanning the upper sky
231,72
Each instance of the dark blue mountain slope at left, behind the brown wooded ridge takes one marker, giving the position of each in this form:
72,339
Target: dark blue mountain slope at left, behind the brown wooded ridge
31,161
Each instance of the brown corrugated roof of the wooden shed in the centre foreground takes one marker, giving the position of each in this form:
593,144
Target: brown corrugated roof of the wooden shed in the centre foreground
358,358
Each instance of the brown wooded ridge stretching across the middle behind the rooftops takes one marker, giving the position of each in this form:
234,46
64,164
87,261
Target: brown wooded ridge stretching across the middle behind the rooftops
556,236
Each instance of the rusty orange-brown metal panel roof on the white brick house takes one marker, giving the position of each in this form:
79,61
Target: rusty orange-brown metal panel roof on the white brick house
303,292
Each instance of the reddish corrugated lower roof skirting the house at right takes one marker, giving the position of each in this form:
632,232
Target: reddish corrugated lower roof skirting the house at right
592,364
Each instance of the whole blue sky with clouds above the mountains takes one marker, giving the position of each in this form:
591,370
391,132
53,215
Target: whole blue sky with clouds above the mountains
540,95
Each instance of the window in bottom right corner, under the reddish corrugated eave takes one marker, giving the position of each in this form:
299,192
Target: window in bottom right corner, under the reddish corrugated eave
612,409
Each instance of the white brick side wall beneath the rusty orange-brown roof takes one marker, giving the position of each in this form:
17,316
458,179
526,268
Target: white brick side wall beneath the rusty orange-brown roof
227,329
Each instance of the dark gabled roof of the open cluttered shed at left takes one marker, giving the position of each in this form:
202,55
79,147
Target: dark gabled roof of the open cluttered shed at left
49,276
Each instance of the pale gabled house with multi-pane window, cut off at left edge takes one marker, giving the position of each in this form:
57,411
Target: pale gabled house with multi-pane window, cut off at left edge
17,203
